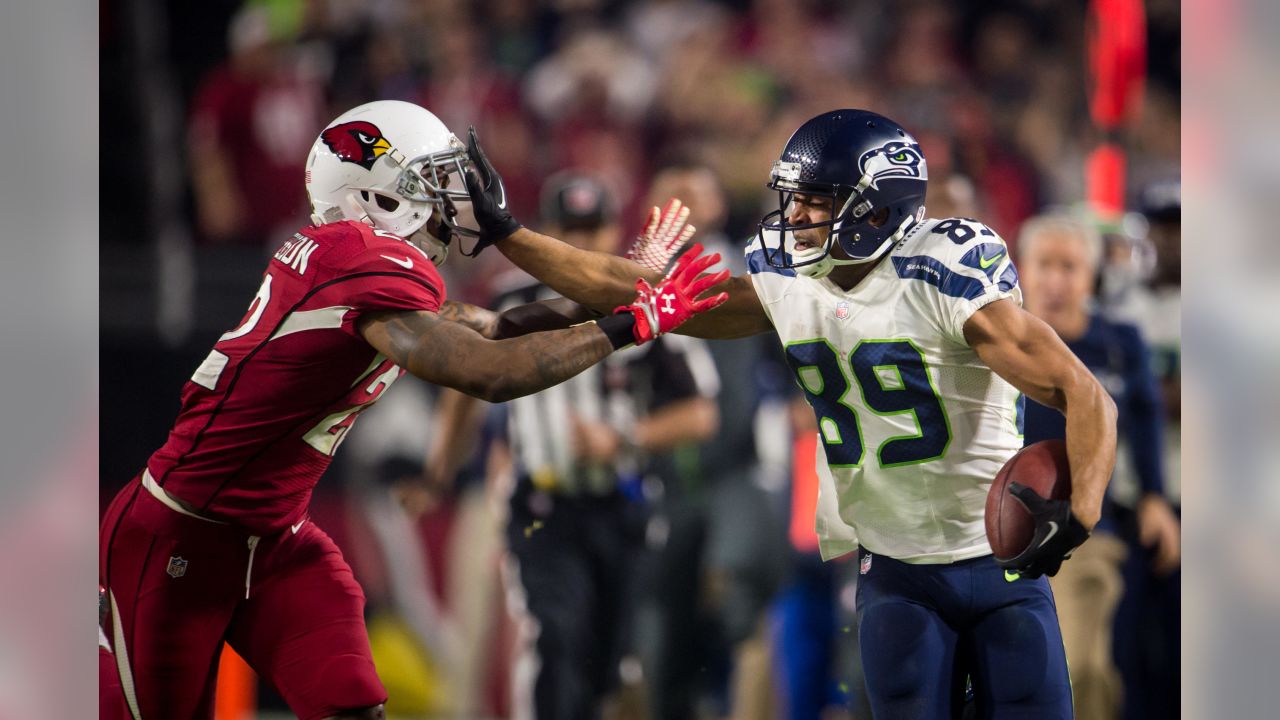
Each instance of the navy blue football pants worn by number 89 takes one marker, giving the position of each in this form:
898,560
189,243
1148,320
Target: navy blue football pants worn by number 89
925,630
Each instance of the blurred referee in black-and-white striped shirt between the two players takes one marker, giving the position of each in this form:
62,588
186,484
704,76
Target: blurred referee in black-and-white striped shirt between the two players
583,453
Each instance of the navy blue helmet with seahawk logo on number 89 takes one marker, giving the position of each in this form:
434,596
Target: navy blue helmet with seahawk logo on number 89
866,165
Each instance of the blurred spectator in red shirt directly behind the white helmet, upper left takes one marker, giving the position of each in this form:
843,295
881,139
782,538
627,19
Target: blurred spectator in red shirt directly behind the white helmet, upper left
252,126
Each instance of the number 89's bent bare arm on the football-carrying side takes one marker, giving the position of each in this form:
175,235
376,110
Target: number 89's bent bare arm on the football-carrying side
1027,353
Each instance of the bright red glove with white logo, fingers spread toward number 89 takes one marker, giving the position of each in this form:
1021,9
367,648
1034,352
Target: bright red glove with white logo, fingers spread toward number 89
662,309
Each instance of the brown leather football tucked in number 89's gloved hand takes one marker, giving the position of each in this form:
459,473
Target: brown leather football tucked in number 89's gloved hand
1041,467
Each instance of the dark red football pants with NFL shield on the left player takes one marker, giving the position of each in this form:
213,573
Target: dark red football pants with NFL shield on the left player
177,590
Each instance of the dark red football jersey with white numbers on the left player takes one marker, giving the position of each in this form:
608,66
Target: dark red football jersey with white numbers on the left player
268,408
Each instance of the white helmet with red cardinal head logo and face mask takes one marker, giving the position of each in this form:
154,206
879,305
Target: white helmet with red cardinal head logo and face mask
388,165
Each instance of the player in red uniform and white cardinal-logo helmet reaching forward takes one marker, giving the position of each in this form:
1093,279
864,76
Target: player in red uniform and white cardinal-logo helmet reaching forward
212,543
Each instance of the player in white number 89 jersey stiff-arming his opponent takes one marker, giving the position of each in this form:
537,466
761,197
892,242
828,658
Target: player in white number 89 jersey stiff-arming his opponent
908,338
